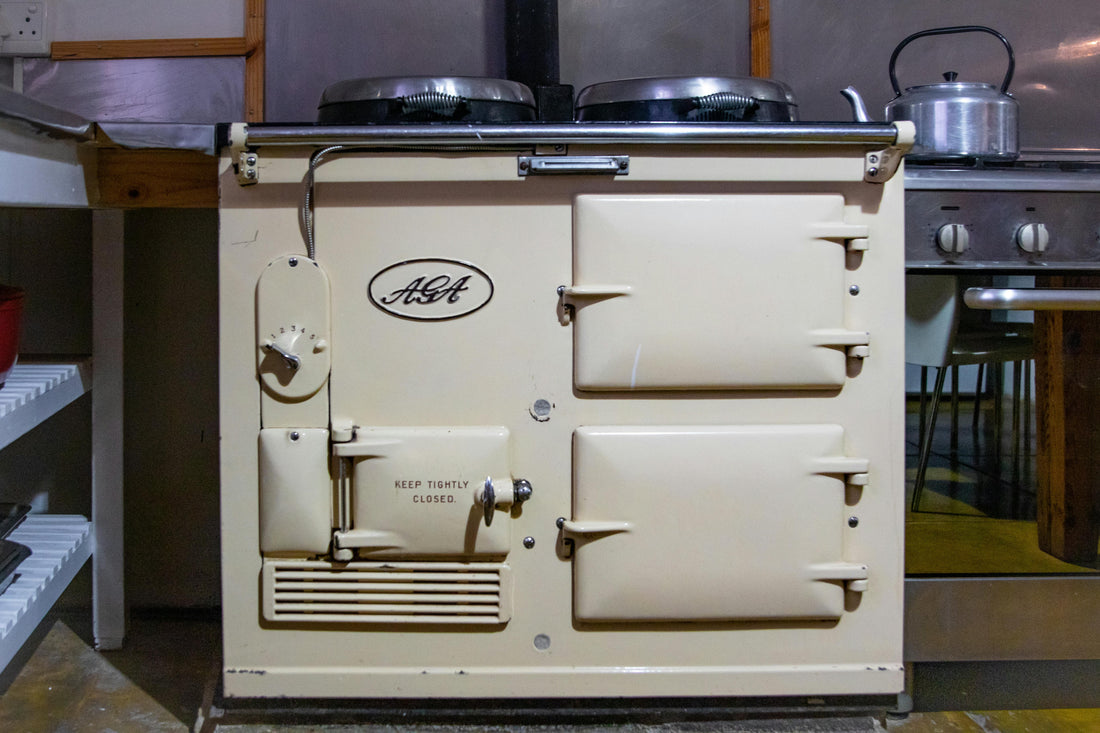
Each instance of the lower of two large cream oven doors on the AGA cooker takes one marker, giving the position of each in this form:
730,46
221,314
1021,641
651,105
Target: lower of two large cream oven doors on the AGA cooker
714,523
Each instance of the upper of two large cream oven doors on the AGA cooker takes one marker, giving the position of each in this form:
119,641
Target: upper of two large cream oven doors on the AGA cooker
712,292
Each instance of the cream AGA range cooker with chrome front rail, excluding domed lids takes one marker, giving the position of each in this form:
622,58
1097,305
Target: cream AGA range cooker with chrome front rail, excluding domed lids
563,410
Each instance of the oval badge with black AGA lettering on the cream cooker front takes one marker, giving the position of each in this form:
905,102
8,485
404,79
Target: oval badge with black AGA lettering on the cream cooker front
431,289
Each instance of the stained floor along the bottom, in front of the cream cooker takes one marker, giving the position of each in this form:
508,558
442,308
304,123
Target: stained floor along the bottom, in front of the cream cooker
166,681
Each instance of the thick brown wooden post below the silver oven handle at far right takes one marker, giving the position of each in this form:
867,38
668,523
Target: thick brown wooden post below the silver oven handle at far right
1068,401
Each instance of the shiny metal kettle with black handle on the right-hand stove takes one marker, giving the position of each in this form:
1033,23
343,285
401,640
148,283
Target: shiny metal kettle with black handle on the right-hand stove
955,119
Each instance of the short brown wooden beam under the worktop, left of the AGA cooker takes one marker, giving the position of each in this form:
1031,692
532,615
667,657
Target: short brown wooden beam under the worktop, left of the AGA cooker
161,179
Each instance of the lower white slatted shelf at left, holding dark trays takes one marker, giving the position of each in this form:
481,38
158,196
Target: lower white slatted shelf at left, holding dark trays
60,546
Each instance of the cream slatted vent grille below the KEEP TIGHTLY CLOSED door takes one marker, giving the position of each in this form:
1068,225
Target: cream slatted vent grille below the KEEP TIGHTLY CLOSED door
387,593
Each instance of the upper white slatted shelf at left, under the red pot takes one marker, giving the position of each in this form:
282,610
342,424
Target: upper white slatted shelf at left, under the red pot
35,392
